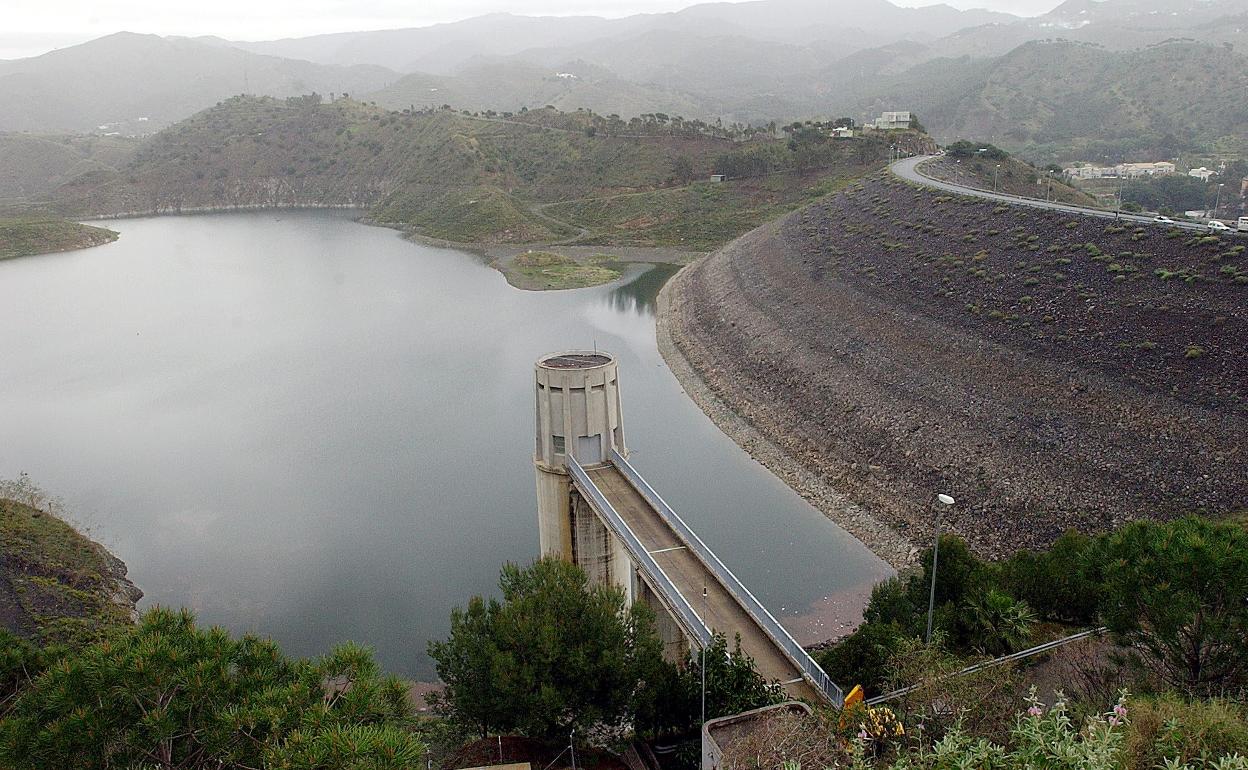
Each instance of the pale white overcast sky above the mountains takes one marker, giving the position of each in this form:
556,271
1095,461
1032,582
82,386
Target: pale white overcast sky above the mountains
33,27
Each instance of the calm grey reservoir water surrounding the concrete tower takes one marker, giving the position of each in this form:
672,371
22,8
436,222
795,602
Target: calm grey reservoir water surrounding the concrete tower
314,430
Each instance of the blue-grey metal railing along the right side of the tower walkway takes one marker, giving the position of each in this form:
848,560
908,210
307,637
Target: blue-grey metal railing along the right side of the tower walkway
766,620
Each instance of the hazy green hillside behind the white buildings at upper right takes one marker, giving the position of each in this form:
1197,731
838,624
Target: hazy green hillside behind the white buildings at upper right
1066,100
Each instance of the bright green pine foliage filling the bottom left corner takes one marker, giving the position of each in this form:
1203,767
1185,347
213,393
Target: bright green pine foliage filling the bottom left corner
169,694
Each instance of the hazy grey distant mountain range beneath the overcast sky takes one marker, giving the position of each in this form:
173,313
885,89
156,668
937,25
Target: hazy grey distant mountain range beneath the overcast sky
1110,69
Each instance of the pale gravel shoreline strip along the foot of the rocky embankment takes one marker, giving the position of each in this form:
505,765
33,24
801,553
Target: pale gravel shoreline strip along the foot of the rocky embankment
878,537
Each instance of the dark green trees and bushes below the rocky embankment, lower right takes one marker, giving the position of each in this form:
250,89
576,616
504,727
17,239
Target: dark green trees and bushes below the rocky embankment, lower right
1172,593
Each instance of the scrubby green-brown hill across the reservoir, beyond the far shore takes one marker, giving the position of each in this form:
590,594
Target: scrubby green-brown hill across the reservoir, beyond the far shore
467,179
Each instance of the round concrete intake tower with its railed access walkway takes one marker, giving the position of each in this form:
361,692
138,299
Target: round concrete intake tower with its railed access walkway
597,511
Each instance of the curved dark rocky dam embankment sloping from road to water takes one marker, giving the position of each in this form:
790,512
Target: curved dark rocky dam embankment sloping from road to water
1049,371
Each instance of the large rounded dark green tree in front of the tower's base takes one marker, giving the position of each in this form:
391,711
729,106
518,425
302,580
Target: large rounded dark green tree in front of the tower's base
556,655
